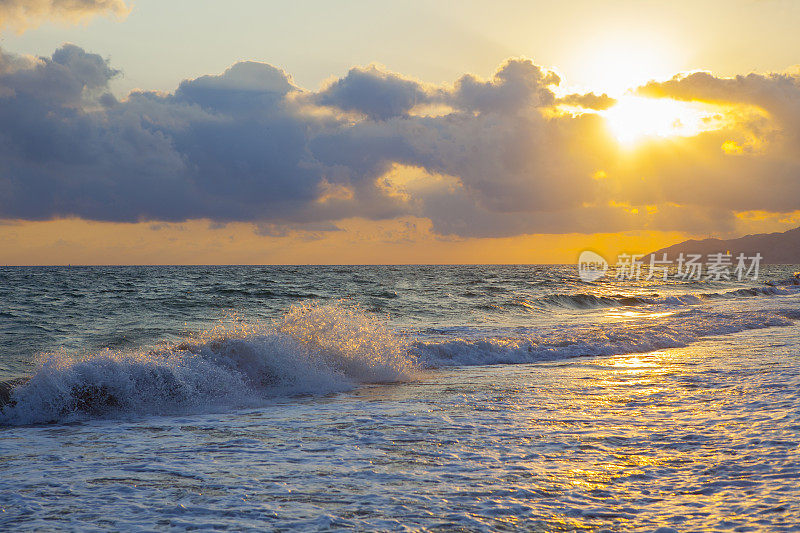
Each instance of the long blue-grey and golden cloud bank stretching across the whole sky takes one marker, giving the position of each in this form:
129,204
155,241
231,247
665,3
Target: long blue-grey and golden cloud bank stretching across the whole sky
478,157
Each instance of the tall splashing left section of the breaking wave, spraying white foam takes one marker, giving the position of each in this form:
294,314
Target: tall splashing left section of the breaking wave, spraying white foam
312,349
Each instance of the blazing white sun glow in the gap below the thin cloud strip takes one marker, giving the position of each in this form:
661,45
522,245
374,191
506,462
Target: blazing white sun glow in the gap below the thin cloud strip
634,119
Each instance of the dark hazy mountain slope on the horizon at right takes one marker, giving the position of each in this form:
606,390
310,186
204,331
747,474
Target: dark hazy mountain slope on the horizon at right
775,248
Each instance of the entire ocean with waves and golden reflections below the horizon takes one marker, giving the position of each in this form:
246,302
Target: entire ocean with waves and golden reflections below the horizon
475,398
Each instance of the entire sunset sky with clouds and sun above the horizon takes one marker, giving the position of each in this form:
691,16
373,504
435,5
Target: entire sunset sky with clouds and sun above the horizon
392,132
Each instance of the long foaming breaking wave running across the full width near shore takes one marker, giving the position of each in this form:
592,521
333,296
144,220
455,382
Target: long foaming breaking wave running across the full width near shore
319,349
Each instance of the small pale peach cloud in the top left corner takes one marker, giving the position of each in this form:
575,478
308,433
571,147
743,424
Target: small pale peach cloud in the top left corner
20,15
